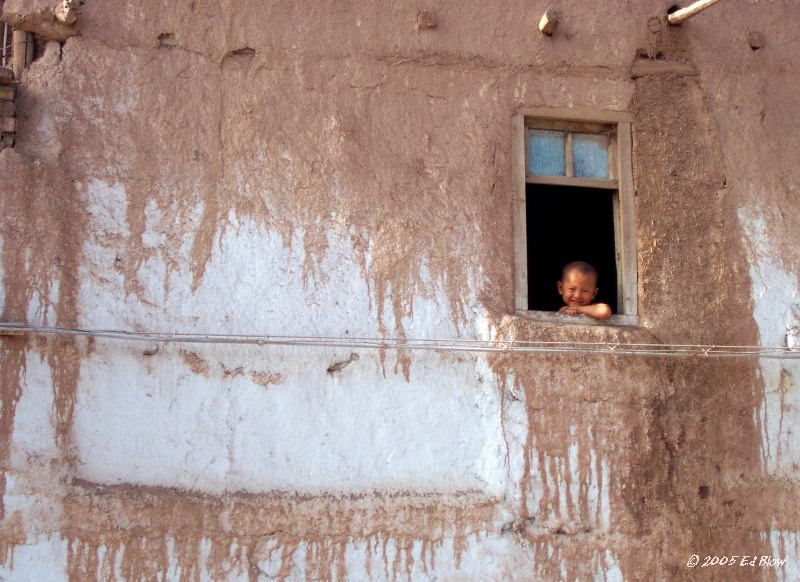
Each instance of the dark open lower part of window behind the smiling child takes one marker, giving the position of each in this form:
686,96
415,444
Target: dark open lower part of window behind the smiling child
565,224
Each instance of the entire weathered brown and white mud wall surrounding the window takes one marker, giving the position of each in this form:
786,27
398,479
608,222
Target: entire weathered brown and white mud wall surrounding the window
330,169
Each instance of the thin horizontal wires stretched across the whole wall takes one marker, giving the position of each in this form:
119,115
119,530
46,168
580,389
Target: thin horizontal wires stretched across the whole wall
442,345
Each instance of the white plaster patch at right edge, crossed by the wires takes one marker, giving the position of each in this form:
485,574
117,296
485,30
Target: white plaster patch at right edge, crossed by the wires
776,296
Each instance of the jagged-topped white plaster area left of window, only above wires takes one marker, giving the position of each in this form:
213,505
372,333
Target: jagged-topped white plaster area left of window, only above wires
252,283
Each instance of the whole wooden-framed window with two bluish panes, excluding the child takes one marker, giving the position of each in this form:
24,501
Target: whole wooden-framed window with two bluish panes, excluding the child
573,200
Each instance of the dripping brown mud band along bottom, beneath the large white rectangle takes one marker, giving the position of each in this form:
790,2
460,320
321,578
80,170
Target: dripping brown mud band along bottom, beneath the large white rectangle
144,530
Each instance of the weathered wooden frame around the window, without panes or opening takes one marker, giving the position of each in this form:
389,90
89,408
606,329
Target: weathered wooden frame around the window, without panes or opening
621,181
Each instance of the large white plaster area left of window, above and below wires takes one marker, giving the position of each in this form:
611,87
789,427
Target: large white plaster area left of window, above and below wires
237,418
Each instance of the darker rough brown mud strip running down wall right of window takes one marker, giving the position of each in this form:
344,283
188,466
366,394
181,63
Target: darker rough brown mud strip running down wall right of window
707,431
